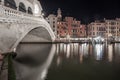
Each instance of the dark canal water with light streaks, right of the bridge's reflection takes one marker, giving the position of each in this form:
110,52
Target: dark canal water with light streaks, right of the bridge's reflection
85,61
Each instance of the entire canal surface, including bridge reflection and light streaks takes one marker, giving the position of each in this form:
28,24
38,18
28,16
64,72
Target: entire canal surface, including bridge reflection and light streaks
72,61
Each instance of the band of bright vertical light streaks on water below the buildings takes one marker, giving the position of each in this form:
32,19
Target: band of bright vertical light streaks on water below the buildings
98,51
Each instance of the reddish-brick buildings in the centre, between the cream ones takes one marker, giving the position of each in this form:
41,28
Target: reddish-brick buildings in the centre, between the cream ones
72,27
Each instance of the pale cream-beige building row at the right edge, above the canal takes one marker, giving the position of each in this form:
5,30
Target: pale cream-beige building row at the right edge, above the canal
106,28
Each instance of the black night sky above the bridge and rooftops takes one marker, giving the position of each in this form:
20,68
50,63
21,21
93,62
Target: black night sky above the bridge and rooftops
84,10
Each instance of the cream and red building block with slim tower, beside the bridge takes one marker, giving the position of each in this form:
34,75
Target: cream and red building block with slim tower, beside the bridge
66,27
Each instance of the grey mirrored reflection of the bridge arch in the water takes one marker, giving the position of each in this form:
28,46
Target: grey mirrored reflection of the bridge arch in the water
33,60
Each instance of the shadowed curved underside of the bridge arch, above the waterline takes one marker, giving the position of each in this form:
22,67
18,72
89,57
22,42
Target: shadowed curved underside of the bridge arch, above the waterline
39,34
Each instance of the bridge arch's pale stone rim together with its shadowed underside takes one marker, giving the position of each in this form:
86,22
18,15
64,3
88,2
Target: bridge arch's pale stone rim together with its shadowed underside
42,33
